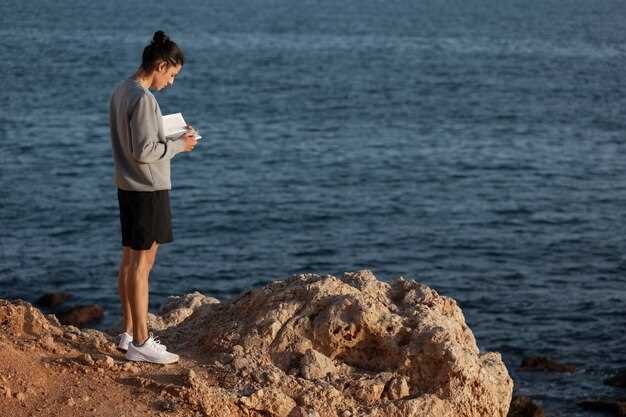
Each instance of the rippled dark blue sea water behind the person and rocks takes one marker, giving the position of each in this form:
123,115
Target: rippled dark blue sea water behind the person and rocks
476,146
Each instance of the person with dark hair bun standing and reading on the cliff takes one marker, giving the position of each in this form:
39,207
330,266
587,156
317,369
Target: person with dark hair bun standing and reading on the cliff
141,156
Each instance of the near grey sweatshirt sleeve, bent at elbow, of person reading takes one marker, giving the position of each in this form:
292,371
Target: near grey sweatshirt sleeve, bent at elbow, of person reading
144,134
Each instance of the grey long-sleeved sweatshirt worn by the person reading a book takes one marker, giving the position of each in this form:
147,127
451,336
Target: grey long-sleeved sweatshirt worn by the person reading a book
141,154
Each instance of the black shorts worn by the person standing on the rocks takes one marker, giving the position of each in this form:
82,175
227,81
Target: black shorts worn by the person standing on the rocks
145,217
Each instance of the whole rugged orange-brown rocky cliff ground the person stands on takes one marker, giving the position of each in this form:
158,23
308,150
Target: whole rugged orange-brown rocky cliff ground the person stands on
308,345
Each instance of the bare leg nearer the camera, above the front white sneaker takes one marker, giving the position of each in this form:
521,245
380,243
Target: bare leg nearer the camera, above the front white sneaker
141,262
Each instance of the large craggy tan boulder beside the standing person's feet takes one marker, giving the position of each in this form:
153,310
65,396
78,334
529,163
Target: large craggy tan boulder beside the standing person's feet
365,328
